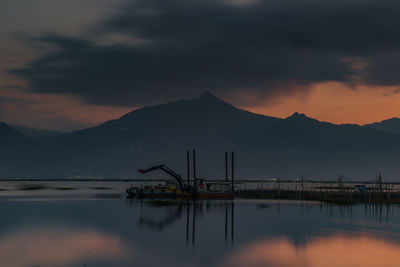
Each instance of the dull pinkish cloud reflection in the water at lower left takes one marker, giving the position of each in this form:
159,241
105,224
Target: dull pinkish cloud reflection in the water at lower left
58,247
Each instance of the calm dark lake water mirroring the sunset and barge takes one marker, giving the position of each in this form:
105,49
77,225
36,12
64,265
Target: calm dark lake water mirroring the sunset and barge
92,224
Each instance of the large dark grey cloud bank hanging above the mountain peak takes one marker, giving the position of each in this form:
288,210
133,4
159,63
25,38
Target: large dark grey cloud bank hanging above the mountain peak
180,48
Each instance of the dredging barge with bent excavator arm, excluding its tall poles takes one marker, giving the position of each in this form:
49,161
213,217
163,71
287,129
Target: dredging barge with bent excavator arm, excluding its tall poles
200,188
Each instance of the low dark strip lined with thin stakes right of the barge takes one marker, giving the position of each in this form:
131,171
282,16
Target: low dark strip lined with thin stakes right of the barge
343,192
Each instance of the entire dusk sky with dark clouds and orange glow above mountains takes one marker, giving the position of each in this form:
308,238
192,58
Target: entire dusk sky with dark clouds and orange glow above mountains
71,64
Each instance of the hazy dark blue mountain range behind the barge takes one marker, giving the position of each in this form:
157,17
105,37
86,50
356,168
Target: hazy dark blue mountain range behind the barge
265,147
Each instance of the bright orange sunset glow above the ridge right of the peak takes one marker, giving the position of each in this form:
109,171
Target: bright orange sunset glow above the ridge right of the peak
337,103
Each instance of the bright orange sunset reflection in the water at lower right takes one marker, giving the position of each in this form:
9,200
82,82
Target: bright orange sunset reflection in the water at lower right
332,251
